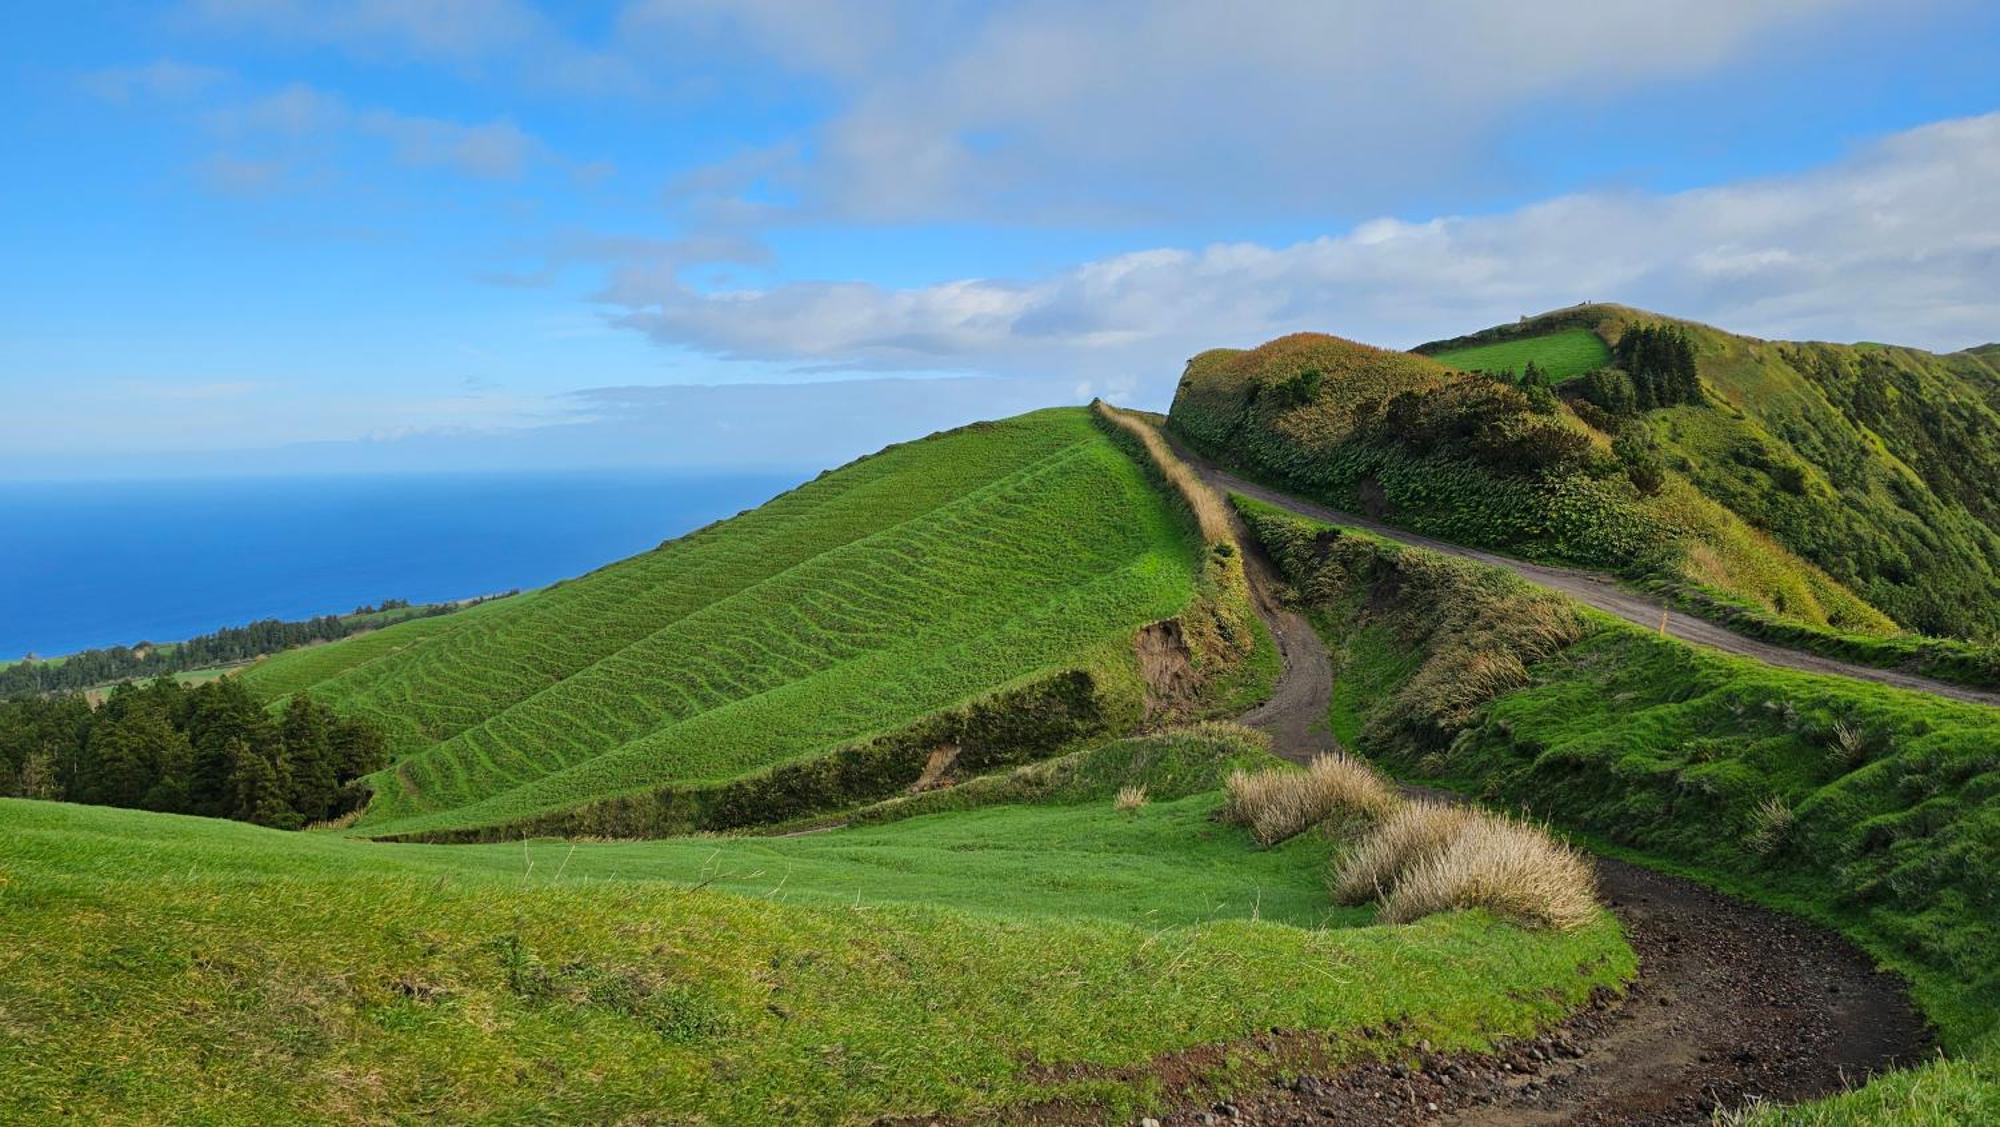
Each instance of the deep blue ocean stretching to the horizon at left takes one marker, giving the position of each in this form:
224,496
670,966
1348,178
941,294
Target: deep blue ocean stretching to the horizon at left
115,563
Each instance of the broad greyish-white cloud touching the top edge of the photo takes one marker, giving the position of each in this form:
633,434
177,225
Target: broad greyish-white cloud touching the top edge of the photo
1157,109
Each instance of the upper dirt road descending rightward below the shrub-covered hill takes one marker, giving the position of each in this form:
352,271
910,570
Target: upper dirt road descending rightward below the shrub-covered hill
1607,596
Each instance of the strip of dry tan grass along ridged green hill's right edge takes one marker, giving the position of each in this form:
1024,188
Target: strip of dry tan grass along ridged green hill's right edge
1219,626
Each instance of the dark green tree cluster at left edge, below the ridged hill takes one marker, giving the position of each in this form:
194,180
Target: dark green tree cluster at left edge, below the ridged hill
209,750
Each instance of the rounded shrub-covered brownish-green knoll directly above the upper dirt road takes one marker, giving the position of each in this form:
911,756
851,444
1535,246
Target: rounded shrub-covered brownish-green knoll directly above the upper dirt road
1479,463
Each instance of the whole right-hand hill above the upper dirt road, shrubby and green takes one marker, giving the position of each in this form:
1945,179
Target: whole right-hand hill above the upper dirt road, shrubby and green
1799,493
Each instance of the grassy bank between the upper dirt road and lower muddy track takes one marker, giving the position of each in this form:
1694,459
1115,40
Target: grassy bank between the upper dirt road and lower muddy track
1863,806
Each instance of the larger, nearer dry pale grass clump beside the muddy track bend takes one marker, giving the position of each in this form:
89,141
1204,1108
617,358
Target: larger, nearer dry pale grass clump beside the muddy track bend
1503,866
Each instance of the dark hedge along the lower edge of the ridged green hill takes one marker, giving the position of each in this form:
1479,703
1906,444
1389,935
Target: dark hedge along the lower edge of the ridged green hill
1043,716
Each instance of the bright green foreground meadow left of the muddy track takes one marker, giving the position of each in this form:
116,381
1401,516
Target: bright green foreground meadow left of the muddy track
979,958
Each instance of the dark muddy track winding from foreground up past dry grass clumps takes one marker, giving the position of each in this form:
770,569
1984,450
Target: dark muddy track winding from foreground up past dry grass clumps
1733,1004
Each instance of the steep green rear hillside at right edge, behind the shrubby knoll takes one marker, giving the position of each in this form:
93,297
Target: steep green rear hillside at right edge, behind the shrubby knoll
1879,465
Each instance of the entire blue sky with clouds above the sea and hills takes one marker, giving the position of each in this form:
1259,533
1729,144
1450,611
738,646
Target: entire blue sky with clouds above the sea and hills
247,237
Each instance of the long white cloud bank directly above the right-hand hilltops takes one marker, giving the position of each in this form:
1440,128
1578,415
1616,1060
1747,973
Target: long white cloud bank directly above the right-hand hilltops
1897,243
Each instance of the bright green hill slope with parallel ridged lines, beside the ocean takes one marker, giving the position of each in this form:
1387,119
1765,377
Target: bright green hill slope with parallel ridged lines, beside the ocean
909,582
